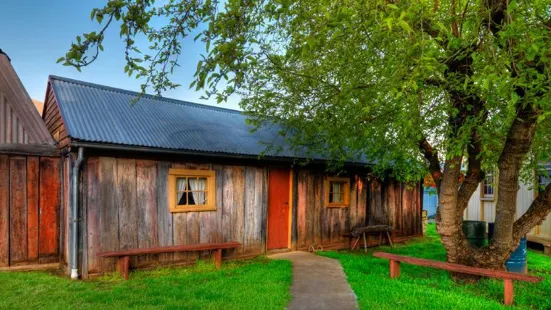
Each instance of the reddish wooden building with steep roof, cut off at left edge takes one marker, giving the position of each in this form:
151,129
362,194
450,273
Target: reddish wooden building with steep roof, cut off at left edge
30,180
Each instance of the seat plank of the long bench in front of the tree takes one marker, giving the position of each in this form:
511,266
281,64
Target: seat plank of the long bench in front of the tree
459,268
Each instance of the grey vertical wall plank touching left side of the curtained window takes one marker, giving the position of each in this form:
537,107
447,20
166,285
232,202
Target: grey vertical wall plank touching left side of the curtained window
164,218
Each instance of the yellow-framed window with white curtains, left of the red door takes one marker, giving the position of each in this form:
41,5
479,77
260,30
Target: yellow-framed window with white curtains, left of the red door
191,190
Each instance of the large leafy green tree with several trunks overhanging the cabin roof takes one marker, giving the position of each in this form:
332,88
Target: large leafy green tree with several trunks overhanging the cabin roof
415,85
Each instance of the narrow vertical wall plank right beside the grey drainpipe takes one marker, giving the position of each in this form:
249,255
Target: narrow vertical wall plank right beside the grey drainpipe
95,264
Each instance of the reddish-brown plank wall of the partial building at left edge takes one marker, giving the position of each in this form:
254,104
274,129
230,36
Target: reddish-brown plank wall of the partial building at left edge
30,201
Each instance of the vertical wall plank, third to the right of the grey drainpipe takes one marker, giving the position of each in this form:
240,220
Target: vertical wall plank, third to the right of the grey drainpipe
126,199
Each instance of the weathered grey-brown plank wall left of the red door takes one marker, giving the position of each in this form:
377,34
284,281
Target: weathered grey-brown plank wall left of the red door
125,205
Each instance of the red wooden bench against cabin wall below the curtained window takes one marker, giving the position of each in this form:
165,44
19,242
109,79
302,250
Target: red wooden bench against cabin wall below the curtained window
124,255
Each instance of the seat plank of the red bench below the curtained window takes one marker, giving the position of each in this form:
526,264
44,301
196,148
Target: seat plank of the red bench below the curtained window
172,249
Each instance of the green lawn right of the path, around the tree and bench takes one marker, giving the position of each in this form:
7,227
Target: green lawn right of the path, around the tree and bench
427,288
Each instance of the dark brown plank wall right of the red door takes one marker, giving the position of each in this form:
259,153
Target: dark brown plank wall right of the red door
371,203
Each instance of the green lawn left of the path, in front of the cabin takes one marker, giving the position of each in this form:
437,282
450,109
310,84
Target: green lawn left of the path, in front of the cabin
253,284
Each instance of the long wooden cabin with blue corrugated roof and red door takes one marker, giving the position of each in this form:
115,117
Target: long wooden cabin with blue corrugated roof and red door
166,172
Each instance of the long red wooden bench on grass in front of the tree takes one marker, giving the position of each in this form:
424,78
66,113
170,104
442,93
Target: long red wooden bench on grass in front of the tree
507,277
